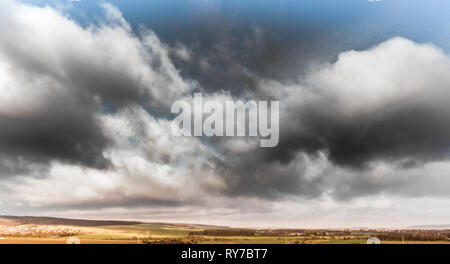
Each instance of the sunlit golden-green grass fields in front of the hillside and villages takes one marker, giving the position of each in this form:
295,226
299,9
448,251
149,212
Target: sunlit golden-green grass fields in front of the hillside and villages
177,233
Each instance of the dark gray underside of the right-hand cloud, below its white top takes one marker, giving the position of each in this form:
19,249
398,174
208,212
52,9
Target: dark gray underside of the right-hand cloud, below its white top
415,132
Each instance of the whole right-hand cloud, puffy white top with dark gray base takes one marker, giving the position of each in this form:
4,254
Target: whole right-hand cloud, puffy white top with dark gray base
387,103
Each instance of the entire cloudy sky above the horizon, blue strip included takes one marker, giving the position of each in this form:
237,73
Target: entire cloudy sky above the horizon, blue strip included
87,88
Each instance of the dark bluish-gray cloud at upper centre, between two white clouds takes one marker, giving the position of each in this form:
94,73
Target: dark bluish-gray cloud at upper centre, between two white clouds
235,56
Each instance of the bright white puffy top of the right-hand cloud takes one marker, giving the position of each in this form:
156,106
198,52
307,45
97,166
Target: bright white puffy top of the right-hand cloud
393,72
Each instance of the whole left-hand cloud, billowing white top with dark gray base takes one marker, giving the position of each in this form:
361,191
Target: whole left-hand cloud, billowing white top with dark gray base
56,77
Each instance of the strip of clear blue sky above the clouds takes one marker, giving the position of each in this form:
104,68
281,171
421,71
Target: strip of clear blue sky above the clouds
358,23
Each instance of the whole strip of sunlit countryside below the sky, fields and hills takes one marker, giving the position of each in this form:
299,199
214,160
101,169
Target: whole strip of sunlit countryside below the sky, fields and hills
47,230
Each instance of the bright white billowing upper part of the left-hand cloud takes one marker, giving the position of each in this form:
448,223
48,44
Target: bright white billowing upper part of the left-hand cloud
44,52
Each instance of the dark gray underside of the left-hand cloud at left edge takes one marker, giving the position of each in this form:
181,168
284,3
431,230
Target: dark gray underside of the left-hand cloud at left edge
62,134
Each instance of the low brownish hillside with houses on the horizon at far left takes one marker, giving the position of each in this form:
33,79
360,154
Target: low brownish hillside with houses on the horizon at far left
36,220
